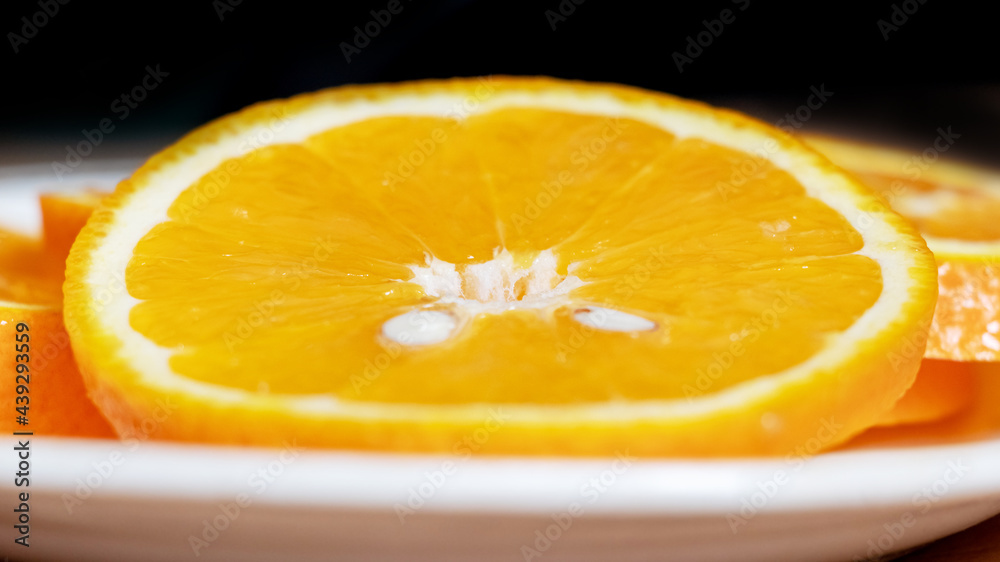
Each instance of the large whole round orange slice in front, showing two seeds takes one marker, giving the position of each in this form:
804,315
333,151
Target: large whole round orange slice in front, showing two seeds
497,265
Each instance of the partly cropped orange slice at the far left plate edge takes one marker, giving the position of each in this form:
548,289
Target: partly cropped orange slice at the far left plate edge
46,392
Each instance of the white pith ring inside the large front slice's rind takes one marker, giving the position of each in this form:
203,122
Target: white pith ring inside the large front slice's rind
147,207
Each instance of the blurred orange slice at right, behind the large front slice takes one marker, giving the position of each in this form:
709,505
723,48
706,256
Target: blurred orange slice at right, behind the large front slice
955,207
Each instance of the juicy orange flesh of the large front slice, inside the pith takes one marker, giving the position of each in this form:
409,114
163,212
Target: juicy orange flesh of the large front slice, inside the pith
320,238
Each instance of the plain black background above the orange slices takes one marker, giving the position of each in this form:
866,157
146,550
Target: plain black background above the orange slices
938,69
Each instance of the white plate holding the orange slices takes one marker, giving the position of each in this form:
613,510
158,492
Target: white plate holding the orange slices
108,500
